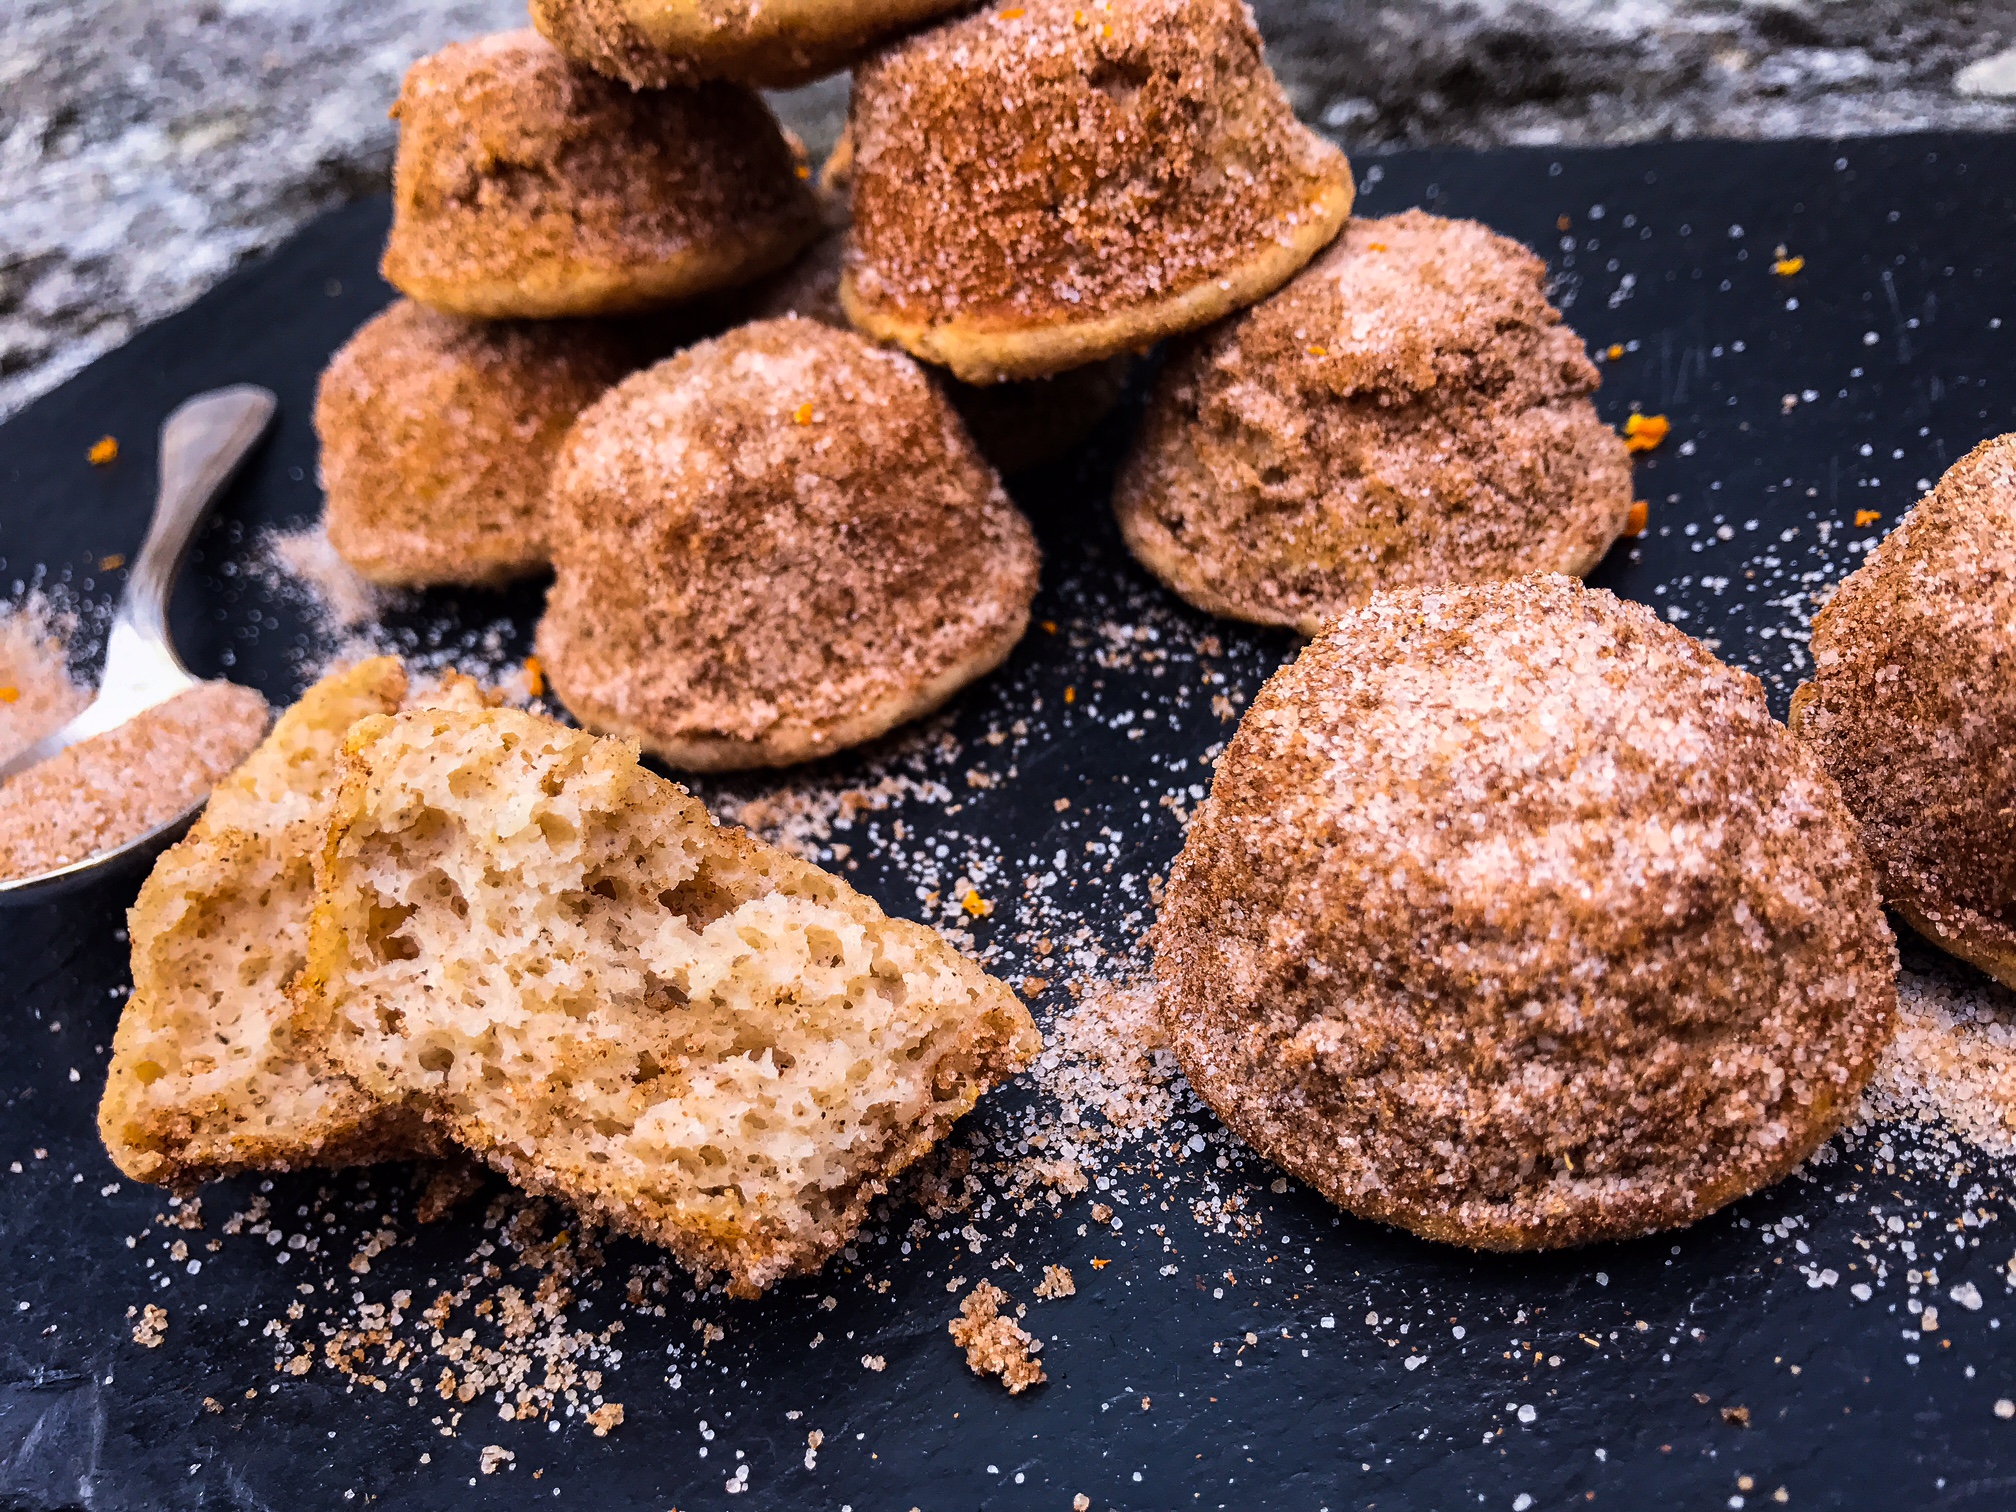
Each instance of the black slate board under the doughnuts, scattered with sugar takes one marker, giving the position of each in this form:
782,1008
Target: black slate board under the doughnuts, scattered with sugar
1896,360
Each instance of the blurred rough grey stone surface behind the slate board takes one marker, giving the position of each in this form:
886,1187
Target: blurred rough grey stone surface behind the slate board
150,146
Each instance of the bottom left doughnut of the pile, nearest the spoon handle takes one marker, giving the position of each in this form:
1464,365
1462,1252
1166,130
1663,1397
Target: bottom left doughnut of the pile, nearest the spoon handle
438,436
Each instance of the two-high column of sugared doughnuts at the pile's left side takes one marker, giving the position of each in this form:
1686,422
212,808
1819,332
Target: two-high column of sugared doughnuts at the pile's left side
535,203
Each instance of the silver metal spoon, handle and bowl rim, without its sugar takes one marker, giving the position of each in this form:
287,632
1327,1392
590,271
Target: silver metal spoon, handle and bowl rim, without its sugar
203,447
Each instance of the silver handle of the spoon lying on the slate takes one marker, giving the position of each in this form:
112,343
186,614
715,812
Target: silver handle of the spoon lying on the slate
203,445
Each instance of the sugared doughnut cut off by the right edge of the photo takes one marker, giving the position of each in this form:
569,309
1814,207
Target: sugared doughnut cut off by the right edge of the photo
1912,707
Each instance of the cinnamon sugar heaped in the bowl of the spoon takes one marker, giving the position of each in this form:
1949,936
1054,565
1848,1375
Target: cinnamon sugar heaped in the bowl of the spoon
116,787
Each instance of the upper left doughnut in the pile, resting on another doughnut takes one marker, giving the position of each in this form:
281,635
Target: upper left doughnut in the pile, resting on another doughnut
531,188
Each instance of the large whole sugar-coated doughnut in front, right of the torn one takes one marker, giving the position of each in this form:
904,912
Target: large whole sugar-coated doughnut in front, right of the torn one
1517,920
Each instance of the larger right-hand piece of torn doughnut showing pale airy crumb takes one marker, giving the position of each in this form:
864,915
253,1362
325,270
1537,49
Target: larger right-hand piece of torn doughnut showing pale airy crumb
557,959
